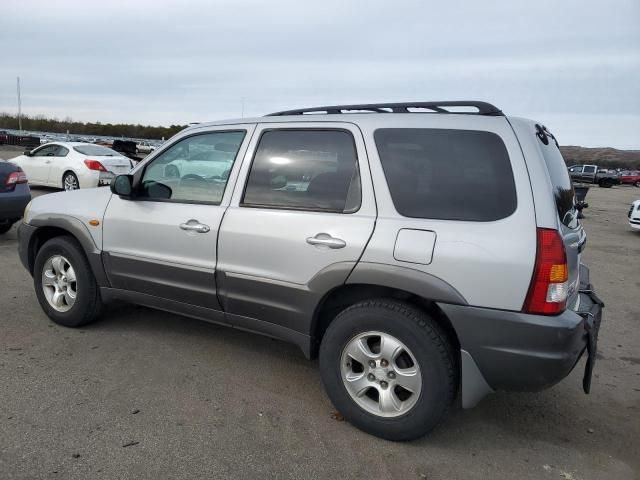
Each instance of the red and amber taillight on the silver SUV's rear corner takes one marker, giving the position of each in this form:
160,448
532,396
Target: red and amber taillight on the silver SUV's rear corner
549,285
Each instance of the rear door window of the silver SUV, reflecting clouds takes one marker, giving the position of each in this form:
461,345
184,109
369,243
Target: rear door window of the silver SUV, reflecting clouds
305,169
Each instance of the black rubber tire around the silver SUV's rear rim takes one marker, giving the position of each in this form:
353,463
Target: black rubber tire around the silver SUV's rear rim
430,347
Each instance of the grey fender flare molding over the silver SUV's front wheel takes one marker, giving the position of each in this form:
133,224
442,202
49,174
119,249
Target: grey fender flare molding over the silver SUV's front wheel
80,231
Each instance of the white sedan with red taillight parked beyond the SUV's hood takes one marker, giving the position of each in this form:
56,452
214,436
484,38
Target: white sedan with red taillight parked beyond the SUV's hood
72,165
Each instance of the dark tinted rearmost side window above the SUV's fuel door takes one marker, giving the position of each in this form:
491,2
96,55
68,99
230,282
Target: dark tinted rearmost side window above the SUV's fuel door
447,174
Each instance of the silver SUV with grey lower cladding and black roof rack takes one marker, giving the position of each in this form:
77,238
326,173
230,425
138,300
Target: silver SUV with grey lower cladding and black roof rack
427,252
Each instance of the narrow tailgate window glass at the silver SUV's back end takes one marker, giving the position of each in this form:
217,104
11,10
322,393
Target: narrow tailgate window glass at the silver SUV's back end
561,182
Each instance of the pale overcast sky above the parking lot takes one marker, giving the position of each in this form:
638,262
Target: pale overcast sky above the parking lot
571,64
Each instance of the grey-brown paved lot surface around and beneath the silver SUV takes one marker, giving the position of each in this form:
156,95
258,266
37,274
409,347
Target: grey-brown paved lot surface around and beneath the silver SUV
145,394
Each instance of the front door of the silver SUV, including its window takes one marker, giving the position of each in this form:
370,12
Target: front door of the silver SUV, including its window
163,242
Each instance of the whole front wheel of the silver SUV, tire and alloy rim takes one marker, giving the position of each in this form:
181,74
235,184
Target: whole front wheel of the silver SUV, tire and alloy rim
64,283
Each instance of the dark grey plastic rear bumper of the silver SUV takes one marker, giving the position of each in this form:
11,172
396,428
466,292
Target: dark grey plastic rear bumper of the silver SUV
521,352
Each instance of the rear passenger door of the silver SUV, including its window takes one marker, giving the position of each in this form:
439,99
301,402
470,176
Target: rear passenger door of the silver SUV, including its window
305,209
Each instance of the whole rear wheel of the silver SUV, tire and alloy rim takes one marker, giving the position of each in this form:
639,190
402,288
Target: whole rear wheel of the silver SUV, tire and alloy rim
389,369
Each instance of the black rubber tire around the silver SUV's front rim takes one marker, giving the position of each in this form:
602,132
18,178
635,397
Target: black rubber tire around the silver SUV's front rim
88,304
